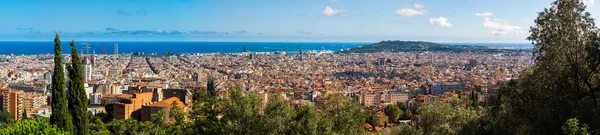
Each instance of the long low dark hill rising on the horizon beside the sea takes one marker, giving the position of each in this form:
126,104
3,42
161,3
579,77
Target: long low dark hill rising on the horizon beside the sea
420,46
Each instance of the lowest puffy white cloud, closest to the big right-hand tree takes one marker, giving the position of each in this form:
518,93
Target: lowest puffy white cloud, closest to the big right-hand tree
501,28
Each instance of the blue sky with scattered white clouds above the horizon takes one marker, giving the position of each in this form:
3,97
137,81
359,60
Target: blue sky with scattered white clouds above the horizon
492,21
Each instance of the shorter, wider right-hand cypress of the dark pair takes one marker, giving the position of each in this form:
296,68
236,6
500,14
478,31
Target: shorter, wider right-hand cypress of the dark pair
77,97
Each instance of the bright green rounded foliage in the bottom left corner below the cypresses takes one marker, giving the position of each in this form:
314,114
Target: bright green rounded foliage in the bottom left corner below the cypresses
40,126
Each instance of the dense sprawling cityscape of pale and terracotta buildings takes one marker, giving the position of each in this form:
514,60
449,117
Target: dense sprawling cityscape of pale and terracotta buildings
372,78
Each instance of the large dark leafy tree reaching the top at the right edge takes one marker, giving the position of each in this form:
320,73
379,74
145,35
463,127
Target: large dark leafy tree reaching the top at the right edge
565,76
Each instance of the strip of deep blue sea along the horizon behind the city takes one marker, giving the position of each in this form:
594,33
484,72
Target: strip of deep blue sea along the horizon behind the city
127,47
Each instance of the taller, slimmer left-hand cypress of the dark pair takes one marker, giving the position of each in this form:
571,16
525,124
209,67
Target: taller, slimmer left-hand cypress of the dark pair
60,113
